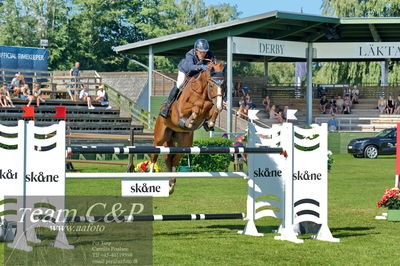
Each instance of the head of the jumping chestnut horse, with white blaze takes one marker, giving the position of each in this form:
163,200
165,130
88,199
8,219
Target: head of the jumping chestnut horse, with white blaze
215,89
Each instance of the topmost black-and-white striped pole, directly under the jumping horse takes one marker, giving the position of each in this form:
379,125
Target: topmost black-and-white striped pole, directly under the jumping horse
169,150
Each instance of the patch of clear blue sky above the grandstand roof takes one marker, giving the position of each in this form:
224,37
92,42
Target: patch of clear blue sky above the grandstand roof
255,7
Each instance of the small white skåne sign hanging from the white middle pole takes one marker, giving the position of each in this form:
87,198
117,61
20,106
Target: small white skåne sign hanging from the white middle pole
145,188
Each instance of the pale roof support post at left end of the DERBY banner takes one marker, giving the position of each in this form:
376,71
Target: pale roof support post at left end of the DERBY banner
229,84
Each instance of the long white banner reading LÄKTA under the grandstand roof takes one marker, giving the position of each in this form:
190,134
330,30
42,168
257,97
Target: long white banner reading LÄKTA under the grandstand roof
357,50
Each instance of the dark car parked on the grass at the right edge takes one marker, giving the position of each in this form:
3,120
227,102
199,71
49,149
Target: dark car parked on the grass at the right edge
383,143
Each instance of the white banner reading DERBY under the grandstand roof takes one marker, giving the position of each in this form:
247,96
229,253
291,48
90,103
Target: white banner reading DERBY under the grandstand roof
267,47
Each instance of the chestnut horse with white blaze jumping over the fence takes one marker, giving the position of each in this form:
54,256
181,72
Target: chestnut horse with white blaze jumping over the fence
200,102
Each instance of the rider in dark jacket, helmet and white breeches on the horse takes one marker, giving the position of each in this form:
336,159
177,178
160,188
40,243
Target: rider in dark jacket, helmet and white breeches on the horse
196,61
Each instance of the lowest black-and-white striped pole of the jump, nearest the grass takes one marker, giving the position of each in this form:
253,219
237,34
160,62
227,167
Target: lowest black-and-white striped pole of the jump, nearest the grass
141,218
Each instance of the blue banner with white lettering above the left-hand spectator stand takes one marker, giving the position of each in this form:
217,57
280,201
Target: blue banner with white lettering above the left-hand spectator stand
22,58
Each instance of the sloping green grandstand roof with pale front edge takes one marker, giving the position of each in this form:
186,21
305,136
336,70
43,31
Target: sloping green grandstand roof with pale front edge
275,25
